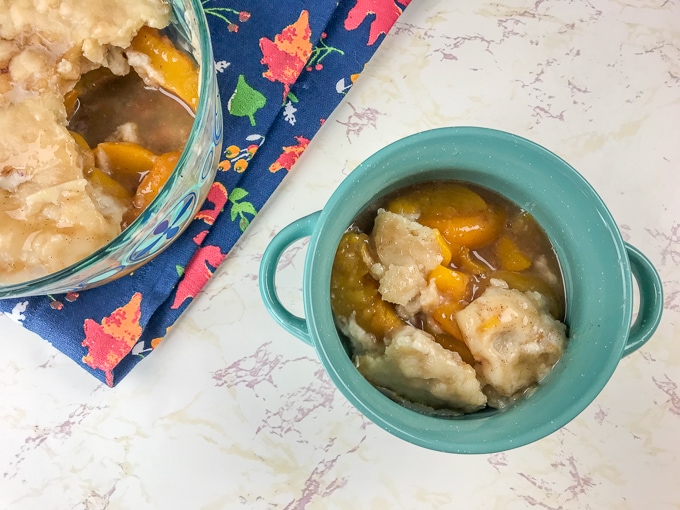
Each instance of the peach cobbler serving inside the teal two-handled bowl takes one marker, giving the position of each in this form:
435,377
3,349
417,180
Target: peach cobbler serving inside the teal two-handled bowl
451,297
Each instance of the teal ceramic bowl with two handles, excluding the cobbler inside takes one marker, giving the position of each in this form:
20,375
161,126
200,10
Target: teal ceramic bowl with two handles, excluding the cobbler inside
598,269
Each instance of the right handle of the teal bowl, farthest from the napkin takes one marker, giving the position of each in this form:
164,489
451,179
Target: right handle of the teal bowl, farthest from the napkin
651,300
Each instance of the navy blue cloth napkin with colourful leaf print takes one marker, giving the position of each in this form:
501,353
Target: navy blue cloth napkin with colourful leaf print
282,68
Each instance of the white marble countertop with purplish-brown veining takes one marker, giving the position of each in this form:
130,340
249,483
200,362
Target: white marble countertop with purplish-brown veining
233,412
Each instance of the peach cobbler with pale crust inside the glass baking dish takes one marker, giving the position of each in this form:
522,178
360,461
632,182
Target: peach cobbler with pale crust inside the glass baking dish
96,105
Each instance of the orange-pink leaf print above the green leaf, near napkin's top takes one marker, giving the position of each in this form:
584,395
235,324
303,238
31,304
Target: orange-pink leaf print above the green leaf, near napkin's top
287,54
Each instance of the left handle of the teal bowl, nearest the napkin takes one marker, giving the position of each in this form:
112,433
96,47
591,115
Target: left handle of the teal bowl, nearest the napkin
270,259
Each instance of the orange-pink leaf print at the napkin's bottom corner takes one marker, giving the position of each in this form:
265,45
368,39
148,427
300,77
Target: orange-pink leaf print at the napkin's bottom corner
109,342
